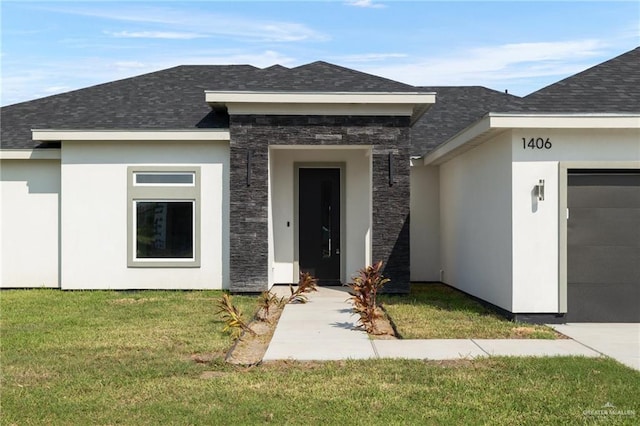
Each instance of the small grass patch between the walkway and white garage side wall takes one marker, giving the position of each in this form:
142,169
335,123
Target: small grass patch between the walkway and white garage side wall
436,311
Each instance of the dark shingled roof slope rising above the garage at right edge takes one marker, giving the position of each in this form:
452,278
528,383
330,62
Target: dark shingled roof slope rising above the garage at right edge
612,86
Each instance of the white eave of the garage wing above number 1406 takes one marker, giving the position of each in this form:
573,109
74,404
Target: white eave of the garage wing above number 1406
493,124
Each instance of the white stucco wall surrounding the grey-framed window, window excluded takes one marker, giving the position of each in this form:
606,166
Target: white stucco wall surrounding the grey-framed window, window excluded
94,214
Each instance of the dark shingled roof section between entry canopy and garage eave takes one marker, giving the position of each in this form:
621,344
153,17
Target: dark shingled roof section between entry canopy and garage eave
456,108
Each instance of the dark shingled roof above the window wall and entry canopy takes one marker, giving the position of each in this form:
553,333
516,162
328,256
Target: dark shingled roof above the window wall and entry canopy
173,98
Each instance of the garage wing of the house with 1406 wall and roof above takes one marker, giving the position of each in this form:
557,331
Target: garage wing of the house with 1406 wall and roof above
538,198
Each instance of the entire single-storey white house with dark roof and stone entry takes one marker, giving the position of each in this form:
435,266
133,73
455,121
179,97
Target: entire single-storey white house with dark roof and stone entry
239,178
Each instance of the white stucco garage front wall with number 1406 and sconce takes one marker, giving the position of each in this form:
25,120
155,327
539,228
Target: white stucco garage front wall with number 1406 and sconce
536,224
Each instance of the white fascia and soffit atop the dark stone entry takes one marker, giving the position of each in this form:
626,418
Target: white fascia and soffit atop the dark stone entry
412,104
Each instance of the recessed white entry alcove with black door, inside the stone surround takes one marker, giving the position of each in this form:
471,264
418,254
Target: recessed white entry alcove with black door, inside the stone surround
319,212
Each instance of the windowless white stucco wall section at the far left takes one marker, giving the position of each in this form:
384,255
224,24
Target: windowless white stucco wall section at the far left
29,216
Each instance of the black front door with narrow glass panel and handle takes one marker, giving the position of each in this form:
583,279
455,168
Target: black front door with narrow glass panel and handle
319,223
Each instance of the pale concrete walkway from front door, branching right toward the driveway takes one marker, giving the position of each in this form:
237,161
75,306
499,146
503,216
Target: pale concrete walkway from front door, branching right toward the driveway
325,329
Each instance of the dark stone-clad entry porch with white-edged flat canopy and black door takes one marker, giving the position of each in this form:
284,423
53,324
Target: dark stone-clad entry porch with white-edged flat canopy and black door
349,153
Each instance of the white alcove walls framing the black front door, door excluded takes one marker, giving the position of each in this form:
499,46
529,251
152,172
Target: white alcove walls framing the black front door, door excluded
356,232
